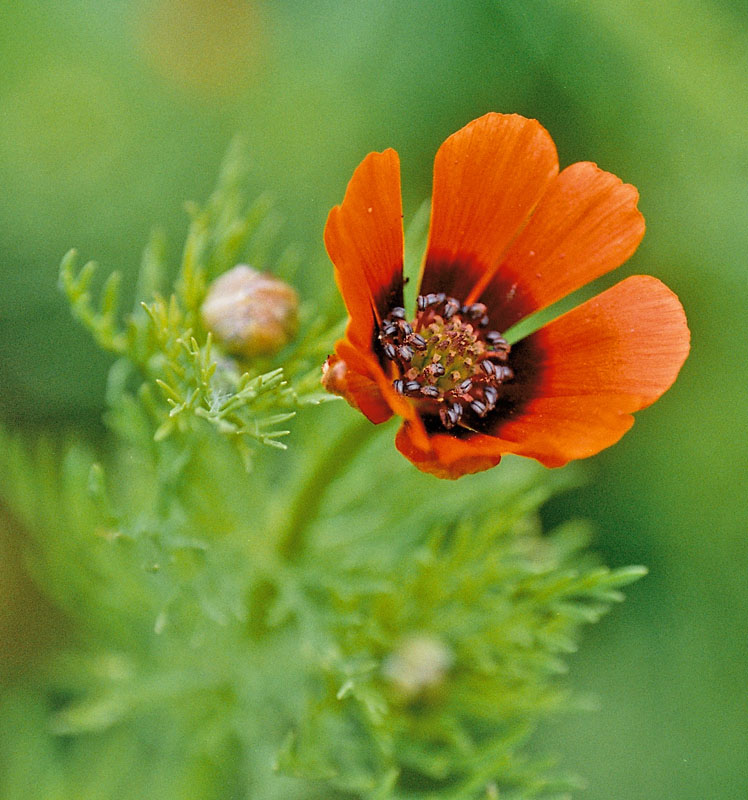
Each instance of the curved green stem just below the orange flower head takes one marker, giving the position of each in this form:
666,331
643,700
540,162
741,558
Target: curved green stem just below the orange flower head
306,505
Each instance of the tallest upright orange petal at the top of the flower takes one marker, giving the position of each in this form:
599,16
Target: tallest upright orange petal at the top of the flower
488,178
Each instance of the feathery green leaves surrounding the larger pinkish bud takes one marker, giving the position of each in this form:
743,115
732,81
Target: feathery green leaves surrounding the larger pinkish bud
164,337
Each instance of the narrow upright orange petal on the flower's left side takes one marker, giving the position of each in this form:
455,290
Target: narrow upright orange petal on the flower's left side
364,239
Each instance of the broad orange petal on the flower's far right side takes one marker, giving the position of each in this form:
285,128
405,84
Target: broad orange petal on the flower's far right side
613,355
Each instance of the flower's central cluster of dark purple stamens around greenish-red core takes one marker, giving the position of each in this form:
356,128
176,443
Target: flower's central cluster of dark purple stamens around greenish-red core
447,359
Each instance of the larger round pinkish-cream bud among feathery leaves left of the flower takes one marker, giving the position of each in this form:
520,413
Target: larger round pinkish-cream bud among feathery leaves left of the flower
251,313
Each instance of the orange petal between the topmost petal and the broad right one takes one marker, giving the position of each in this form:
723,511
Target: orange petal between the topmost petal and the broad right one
585,225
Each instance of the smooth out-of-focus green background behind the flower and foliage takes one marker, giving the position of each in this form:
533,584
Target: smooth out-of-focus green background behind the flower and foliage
112,113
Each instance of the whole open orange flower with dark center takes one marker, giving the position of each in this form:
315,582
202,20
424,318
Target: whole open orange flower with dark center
509,235
